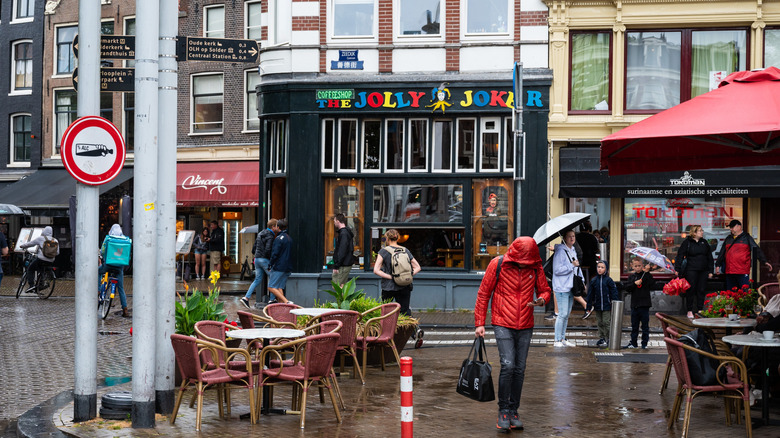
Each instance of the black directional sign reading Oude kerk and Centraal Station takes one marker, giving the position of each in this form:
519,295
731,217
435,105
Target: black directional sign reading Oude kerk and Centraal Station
217,49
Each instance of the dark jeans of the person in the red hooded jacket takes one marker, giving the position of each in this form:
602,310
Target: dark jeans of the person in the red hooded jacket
512,351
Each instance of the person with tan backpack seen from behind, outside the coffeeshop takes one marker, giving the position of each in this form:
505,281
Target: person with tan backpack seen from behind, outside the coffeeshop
396,265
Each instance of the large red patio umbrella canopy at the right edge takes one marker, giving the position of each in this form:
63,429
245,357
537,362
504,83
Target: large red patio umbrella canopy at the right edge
735,125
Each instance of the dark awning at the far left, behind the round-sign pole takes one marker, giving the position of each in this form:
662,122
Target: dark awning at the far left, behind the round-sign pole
51,188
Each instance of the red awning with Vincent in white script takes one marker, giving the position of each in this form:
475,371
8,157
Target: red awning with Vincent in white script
228,184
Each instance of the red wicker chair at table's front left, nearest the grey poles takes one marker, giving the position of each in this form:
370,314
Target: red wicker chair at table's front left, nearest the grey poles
188,351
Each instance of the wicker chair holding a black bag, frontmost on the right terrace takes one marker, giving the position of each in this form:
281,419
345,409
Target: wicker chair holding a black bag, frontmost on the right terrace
736,386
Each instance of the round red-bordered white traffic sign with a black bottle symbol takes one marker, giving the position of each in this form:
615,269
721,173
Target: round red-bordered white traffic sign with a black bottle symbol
93,150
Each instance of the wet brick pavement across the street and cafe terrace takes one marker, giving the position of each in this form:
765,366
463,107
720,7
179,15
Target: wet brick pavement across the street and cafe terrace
567,392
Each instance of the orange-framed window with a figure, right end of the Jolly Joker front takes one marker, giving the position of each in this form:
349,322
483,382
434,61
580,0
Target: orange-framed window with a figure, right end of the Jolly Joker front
492,219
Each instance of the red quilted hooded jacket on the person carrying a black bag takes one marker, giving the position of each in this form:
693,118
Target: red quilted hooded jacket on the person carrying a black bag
521,275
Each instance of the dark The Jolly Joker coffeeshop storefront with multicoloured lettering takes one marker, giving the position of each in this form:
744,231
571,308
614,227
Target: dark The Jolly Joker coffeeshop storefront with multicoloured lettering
434,159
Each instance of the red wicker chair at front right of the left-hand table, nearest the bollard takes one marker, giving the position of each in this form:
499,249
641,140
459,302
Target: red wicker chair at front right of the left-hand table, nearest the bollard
313,363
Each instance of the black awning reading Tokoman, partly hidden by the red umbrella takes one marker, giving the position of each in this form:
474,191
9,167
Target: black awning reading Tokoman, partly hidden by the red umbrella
580,177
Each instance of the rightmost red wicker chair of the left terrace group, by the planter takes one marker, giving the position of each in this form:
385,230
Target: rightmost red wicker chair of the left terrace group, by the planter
379,332
